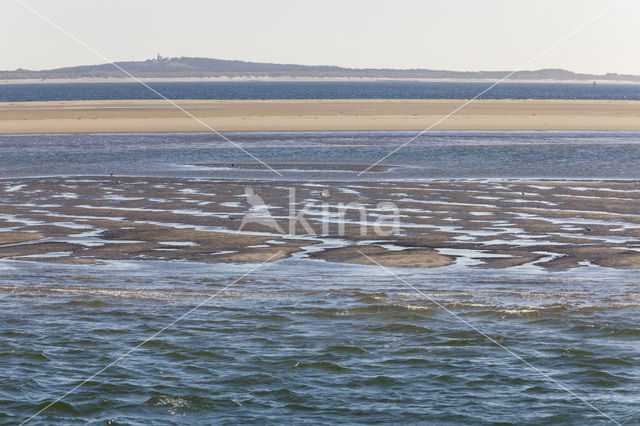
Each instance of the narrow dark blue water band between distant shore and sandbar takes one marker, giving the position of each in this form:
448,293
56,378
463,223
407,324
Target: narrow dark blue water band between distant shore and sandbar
313,90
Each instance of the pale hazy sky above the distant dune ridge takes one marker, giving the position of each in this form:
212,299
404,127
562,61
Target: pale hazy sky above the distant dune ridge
436,34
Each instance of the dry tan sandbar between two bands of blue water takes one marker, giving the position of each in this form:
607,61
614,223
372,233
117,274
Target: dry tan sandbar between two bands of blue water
315,115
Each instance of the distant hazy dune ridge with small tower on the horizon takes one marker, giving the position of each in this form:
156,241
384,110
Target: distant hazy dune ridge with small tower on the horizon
206,68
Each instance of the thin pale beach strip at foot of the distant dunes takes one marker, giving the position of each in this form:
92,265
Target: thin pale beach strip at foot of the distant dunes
308,79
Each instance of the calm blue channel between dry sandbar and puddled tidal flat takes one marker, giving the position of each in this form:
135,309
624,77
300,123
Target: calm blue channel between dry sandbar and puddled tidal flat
451,154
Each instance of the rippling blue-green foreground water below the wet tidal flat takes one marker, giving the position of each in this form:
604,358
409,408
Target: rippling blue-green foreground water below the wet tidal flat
319,343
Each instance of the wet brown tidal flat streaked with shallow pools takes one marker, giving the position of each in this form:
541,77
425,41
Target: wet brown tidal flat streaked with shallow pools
552,225
